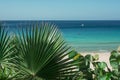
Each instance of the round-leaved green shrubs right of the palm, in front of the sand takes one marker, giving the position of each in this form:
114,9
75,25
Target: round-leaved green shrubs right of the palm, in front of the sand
100,70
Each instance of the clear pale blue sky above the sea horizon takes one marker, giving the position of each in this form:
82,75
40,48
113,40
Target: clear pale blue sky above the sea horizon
59,9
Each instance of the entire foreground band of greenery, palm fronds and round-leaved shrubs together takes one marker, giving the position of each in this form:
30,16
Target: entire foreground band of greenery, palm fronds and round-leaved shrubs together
40,53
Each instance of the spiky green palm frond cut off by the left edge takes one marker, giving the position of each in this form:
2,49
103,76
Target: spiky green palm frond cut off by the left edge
6,49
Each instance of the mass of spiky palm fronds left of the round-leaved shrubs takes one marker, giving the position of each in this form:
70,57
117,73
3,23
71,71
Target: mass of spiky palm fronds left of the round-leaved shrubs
36,54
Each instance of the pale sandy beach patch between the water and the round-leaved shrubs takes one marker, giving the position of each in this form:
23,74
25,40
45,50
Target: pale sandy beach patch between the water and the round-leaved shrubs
103,56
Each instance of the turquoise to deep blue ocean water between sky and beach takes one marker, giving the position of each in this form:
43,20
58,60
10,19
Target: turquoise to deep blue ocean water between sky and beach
82,36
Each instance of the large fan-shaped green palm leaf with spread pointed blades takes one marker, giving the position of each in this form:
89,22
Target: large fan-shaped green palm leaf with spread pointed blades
43,53
